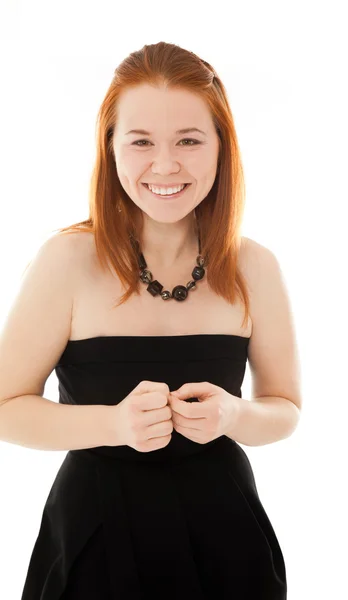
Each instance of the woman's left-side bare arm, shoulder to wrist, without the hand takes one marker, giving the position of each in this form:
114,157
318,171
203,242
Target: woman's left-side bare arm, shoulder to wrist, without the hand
32,339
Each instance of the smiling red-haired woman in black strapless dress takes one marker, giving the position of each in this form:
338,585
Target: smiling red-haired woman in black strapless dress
155,498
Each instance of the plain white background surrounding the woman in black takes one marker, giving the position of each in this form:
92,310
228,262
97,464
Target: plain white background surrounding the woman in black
285,73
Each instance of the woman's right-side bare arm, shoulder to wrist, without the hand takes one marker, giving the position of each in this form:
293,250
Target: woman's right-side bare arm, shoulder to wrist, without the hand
274,410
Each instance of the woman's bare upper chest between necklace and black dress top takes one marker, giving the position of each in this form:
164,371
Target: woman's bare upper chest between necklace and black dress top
203,311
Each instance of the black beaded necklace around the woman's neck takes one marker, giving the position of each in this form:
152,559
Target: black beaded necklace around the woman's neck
179,292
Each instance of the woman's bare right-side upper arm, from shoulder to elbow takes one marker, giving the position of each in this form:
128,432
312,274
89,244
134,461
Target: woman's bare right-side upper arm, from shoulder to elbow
273,353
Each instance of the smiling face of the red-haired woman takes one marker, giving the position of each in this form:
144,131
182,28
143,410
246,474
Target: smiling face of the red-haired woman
164,156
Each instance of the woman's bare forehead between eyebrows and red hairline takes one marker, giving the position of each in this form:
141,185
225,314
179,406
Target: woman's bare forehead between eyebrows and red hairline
151,108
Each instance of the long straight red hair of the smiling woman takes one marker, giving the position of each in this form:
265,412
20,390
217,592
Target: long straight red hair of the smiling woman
219,215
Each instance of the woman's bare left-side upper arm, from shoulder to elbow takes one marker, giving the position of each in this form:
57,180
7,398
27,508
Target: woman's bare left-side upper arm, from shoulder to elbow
37,327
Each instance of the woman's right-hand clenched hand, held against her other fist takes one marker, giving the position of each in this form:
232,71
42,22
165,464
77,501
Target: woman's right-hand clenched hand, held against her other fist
216,412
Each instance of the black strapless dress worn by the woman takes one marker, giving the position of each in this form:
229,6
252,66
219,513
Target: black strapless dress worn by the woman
182,522
